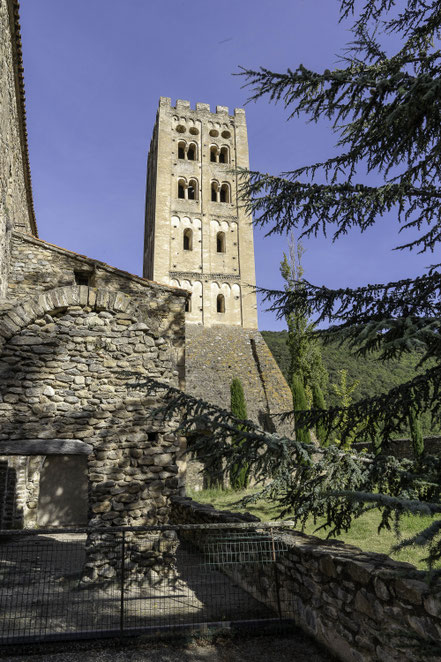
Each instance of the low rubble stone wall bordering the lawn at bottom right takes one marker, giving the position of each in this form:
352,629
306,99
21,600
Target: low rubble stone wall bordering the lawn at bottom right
363,607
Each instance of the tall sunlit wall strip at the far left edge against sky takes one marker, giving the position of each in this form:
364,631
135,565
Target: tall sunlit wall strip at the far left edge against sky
15,195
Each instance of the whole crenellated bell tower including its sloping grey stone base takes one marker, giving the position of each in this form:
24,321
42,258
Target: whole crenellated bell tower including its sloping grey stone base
199,237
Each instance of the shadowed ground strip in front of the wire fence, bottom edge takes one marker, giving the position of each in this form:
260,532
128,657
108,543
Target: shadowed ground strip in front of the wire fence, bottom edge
295,647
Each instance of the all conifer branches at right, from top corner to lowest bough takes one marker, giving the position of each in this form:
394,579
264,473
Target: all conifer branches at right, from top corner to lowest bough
386,111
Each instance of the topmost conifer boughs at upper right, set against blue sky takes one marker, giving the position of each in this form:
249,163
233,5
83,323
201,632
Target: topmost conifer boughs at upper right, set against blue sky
386,111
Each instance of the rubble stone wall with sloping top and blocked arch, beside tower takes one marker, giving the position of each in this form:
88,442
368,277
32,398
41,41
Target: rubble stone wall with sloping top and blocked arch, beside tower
69,359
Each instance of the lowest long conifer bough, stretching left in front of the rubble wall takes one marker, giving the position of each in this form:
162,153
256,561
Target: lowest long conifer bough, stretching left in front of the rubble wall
301,479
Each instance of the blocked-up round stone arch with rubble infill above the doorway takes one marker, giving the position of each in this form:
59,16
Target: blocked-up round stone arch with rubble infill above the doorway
92,404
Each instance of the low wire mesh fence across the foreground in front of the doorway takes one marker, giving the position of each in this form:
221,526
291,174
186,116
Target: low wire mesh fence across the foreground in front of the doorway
118,581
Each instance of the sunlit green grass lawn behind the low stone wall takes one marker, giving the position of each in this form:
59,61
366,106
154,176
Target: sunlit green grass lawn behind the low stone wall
363,532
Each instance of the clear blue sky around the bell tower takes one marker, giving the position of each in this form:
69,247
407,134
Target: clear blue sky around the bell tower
94,71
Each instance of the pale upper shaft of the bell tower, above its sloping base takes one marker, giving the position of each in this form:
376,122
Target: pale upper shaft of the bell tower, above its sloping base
197,235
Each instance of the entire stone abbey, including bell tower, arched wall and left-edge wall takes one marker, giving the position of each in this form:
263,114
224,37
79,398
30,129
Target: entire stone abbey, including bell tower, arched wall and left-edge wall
75,332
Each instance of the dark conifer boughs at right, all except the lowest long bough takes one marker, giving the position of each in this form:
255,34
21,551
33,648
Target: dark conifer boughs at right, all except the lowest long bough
386,111
